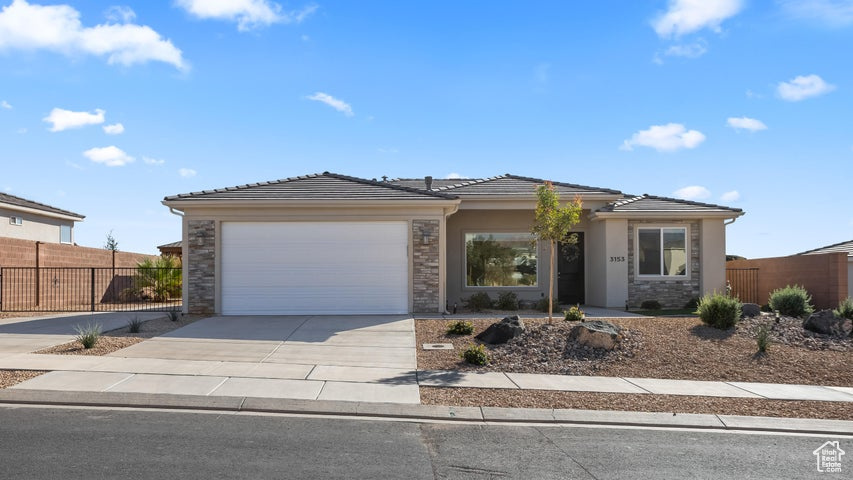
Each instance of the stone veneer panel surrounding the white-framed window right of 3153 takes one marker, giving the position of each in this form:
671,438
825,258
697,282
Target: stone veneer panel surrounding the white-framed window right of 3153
670,293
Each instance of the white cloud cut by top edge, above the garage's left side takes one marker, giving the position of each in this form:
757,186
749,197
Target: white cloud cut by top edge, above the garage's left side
248,14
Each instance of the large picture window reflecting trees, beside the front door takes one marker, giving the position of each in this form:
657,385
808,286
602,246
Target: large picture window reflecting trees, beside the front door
500,260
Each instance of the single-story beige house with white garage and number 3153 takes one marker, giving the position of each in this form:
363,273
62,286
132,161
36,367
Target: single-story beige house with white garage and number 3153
329,243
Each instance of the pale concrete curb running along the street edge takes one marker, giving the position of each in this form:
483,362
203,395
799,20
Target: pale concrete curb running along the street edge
426,412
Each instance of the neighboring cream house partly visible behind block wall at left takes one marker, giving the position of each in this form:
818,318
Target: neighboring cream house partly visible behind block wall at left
28,220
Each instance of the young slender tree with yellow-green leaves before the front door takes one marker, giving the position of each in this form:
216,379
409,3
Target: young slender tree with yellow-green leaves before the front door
552,224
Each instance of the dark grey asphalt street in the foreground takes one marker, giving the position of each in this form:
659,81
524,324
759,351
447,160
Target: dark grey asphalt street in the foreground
41,443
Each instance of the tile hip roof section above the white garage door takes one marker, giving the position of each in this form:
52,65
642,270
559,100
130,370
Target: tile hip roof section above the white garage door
318,186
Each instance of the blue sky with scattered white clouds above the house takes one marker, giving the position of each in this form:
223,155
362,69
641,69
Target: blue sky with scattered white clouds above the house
105,108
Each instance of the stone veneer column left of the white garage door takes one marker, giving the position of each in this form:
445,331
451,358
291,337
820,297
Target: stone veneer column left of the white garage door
201,267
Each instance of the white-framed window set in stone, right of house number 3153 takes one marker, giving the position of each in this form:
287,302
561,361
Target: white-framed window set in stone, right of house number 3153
662,251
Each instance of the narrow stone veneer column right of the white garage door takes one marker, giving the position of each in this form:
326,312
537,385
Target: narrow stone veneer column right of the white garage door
425,261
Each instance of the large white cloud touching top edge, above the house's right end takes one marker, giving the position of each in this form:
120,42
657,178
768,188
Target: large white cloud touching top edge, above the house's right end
688,16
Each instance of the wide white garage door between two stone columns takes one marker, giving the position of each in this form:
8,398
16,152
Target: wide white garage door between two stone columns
271,268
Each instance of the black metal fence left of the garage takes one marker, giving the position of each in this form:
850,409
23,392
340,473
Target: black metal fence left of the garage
85,289
